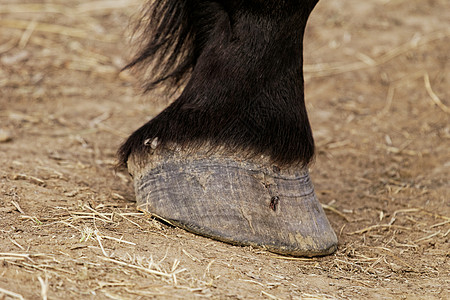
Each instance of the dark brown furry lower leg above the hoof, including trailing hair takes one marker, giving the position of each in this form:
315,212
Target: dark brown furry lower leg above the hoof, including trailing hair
243,61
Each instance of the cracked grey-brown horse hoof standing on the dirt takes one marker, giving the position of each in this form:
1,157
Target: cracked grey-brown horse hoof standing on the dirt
242,202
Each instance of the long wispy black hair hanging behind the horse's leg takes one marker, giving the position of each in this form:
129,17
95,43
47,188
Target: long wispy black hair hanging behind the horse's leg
172,34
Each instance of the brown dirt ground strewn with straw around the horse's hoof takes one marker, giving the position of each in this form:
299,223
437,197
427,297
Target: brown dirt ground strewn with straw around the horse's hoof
377,91
